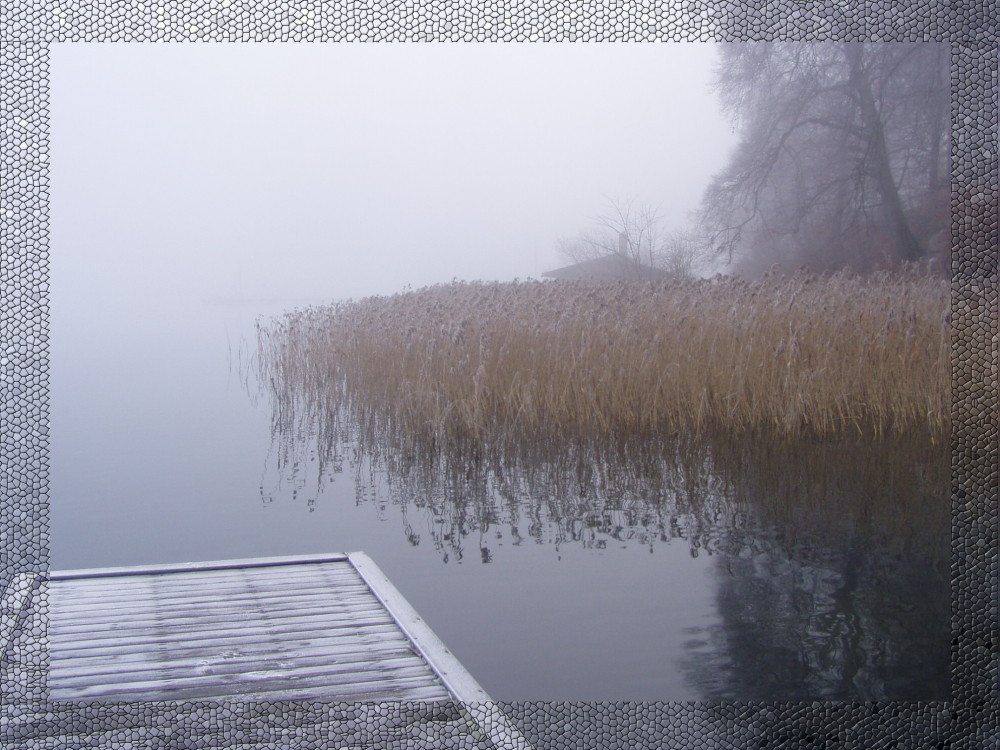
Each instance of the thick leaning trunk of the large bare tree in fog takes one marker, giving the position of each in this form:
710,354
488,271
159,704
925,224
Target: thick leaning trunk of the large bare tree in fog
907,246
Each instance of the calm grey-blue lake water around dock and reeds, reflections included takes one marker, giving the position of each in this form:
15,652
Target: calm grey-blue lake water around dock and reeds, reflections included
748,572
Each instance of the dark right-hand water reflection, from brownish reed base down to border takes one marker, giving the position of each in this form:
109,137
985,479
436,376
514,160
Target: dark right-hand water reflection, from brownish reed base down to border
840,586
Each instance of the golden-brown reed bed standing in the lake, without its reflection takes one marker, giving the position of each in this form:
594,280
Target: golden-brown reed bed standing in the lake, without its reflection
477,364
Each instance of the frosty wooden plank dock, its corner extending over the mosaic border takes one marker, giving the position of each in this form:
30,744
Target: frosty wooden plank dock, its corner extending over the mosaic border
326,627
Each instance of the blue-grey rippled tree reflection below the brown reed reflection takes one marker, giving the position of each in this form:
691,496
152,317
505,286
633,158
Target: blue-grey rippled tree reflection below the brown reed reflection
834,625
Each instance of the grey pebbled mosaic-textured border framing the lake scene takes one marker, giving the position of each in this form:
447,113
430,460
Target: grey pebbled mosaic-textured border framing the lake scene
968,720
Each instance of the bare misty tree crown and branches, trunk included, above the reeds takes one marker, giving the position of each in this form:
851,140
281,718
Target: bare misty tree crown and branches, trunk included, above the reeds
843,158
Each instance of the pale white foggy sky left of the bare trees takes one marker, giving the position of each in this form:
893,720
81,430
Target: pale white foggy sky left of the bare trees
191,172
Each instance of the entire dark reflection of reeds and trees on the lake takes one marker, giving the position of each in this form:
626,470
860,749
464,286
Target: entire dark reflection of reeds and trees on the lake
832,558
